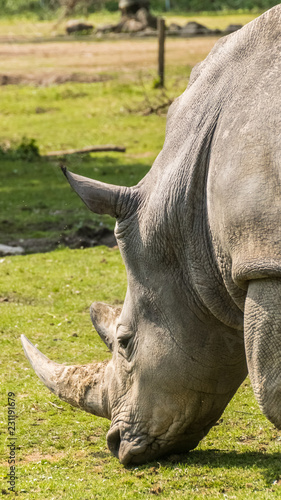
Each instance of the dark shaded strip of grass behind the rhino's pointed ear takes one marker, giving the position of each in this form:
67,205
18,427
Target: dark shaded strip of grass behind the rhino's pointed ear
36,200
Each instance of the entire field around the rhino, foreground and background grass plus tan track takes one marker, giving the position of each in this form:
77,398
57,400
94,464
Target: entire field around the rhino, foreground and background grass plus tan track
61,452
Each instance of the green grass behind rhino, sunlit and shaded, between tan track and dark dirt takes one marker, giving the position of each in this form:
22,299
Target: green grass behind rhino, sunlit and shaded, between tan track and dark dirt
35,198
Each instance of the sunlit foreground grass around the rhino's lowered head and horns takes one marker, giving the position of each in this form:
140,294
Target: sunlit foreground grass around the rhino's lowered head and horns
61,451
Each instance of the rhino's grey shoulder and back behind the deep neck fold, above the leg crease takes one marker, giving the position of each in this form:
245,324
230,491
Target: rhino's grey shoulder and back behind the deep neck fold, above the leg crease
244,188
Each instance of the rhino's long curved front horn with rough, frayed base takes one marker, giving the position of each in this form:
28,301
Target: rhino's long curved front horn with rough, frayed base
80,385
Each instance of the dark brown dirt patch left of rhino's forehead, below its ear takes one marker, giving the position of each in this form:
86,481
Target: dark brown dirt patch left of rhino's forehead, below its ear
84,237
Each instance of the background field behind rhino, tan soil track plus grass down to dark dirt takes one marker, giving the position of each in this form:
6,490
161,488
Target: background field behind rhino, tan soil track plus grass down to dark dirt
35,198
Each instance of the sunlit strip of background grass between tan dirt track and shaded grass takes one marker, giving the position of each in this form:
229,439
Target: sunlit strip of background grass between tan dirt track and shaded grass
74,115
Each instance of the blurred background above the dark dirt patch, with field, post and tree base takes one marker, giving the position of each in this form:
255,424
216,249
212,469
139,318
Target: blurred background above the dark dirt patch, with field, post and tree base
78,74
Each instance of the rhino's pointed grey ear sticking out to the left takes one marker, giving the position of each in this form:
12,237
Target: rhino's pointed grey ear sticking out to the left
99,197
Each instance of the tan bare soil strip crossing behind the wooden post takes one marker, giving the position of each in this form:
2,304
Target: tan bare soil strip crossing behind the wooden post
58,62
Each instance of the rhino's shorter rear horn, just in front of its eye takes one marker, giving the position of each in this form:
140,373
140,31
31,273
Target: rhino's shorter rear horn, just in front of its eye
104,318
